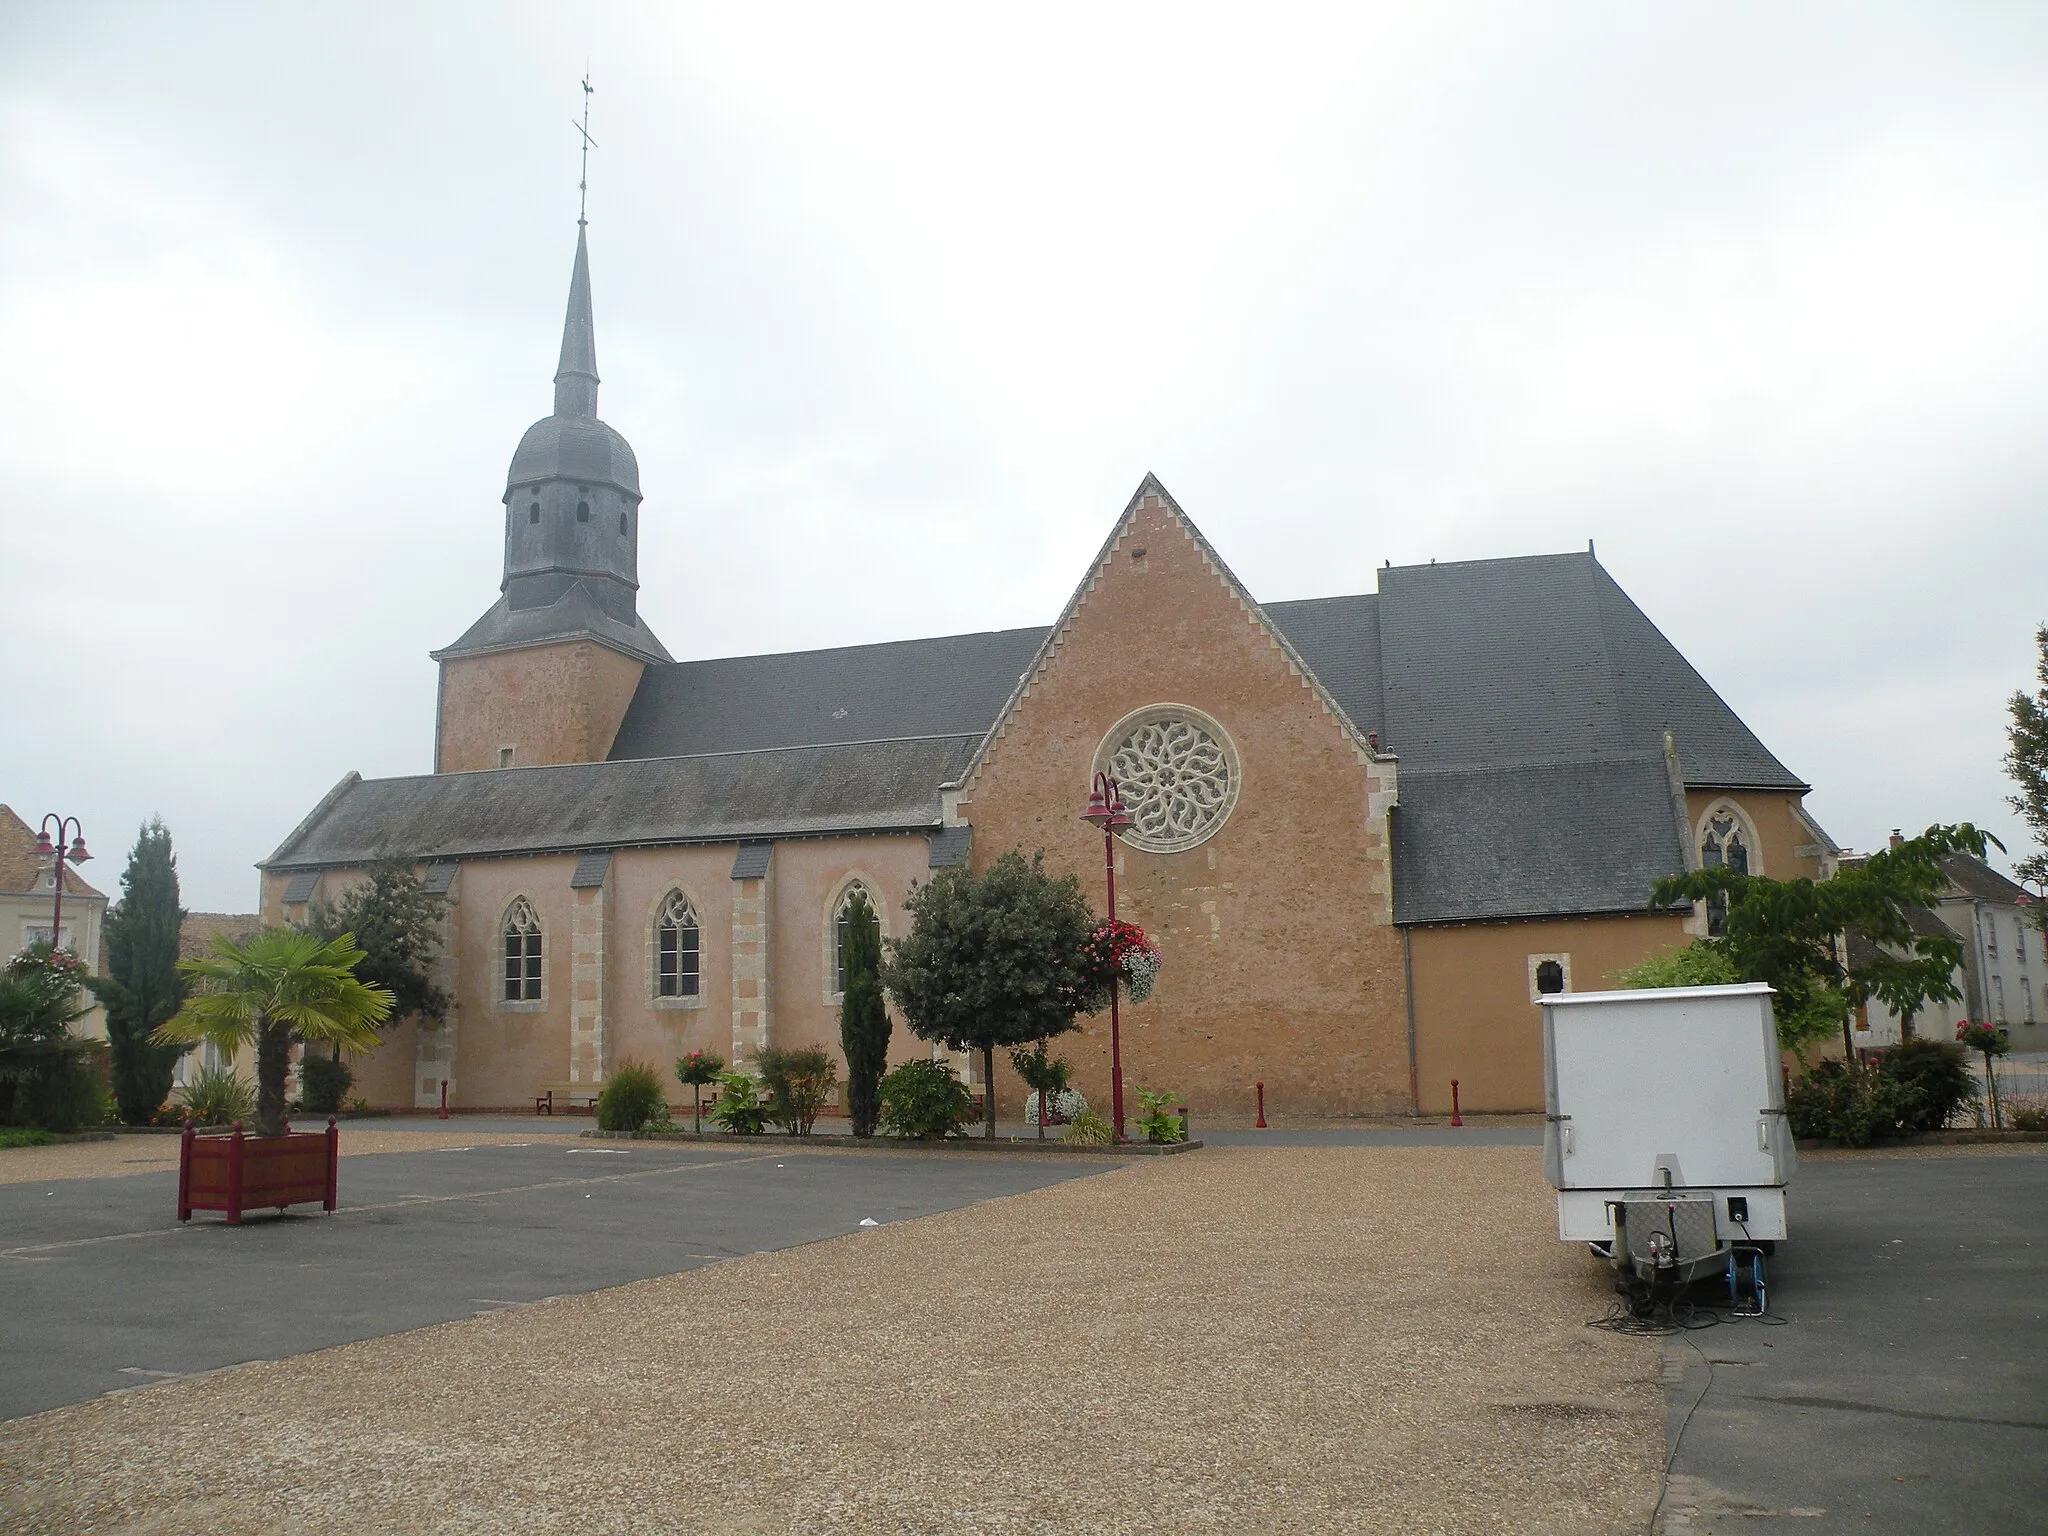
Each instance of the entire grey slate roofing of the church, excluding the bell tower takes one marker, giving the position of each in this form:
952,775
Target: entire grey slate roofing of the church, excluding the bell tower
1525,699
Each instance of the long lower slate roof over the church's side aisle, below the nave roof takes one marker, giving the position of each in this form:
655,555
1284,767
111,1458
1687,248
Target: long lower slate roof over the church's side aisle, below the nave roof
601,806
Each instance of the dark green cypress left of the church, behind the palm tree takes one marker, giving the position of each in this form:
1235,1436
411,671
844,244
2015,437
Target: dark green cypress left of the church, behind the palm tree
142,986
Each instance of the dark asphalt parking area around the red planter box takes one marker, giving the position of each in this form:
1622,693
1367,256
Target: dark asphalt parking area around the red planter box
108,1291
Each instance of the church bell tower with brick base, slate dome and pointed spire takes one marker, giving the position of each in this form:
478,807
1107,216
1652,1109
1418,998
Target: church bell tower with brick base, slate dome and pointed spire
548,673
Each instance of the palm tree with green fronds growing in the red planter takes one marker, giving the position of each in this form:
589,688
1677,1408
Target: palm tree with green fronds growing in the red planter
271,988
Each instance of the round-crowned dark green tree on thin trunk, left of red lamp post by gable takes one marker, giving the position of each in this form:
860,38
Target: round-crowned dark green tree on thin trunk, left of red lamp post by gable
992,959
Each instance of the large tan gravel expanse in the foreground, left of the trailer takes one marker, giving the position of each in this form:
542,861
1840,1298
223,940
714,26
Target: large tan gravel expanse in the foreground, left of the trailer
1279,1340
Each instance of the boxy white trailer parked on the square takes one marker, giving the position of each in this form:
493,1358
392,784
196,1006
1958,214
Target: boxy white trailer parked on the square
1666,1125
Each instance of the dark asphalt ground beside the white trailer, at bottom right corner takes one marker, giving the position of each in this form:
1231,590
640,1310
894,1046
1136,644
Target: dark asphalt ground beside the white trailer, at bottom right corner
1910,1388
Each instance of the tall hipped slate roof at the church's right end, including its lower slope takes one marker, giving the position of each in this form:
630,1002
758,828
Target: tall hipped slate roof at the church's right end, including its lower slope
1527,701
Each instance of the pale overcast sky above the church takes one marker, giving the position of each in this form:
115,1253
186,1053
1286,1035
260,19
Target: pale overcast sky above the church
900,304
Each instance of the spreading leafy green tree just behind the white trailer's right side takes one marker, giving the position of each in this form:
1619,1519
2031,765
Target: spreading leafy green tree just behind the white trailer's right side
1789,933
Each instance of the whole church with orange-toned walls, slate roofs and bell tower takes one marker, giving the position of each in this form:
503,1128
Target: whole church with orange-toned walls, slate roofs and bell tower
1369,830
